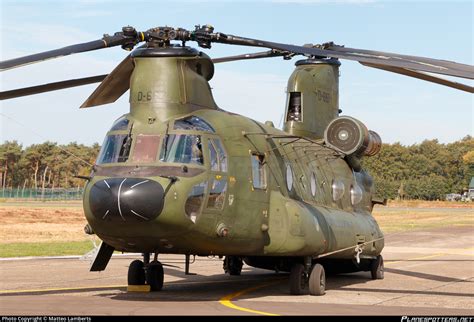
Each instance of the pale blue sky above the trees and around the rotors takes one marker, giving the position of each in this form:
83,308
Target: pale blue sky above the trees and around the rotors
397,107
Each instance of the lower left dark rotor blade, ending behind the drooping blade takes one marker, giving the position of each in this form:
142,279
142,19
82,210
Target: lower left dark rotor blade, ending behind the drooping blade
50,87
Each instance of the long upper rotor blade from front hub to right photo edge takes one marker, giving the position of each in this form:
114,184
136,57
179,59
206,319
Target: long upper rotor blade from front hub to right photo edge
385,59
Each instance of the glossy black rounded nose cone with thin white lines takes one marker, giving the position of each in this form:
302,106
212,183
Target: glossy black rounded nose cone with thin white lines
126,199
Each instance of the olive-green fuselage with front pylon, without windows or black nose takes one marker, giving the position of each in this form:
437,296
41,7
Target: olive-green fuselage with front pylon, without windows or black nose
274,219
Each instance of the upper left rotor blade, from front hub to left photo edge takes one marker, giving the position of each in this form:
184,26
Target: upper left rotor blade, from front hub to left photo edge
128,40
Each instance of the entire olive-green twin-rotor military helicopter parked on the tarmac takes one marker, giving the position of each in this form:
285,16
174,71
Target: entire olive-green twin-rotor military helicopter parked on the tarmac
179,175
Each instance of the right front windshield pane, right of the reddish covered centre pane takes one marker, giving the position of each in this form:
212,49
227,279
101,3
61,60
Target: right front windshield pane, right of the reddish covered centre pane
178,148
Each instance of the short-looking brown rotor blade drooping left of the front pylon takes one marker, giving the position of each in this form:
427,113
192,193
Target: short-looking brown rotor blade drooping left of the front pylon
113,86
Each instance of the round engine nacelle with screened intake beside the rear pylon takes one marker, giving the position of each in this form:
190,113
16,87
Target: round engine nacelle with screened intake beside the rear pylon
351,137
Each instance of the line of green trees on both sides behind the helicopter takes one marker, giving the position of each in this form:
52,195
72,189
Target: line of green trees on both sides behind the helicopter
428,170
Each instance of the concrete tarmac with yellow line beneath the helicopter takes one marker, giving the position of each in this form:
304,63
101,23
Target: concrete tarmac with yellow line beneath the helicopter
429,272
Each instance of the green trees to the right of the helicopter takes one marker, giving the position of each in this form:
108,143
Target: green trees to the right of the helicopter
427,171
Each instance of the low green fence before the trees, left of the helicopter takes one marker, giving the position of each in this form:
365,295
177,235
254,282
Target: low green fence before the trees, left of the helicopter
42,194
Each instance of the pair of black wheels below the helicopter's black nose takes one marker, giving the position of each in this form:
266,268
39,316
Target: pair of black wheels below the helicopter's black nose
146,273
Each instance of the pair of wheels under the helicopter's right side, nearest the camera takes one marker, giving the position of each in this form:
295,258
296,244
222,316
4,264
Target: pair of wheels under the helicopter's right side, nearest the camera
307,276
